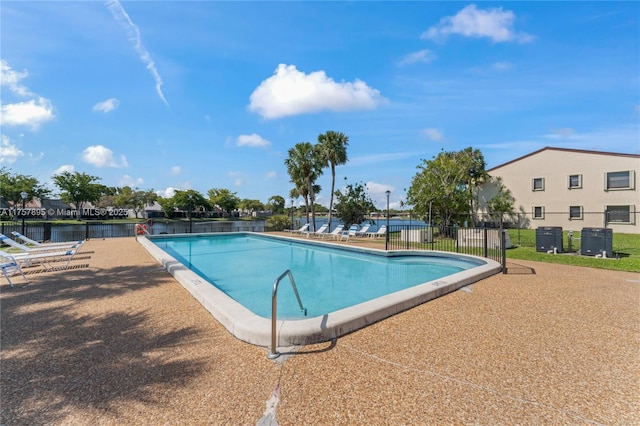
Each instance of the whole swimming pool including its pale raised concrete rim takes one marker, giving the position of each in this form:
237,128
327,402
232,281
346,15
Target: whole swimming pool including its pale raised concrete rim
342,288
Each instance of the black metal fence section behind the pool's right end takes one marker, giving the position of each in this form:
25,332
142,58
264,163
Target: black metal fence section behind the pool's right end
484,242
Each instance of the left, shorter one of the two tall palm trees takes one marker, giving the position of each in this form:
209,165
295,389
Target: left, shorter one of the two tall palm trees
304,168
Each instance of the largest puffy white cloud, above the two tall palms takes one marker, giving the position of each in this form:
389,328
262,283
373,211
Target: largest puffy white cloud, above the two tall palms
291,92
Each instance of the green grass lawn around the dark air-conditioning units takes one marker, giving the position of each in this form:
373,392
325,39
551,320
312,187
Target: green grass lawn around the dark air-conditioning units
626,248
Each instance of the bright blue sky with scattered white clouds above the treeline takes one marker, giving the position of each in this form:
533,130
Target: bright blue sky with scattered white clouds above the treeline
206,94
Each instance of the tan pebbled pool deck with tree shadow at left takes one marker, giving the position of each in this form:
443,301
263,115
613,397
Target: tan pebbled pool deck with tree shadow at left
116,340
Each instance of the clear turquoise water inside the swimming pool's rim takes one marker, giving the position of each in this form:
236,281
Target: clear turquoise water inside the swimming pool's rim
245,267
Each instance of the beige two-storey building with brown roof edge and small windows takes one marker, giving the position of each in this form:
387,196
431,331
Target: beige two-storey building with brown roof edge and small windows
571,188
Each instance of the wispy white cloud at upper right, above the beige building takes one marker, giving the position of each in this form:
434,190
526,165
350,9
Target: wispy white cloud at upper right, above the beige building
495,24
